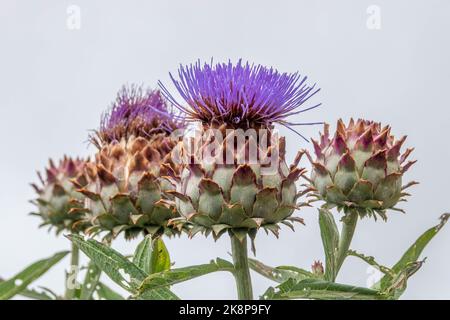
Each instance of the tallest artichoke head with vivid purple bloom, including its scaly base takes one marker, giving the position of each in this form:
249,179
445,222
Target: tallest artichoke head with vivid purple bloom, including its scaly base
234,175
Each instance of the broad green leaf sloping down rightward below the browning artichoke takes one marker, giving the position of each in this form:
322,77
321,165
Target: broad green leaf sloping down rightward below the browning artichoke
117,267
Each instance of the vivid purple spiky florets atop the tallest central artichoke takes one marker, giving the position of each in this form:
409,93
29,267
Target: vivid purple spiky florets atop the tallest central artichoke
240,95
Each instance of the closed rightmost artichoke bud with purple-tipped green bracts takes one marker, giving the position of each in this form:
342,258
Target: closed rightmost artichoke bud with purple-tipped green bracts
360,168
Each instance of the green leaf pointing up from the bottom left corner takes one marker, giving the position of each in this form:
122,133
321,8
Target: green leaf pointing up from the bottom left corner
19,282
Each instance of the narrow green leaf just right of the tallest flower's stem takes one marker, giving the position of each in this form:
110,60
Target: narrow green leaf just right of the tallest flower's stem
279,274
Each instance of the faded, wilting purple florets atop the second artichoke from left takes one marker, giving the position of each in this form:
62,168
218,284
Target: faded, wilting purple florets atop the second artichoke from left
137,112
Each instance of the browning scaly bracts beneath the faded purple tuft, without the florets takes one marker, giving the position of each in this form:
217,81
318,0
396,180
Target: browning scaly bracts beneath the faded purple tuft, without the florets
125,184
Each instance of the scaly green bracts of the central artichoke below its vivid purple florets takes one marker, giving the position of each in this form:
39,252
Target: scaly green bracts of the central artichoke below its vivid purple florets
213,195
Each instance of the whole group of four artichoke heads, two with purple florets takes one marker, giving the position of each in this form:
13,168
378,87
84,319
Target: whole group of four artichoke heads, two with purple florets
233,178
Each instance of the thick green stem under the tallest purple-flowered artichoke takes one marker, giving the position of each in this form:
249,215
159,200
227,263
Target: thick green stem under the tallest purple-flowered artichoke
241,269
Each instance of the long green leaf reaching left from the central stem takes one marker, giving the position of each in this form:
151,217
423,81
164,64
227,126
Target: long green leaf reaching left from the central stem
170,277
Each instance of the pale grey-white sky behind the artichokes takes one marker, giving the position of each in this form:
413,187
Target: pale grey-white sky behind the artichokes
55,82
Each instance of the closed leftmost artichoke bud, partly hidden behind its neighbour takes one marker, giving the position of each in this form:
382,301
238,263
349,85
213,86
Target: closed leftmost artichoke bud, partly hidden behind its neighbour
58,203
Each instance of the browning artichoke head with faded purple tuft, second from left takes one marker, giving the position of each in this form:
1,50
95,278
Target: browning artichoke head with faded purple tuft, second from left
127,179
